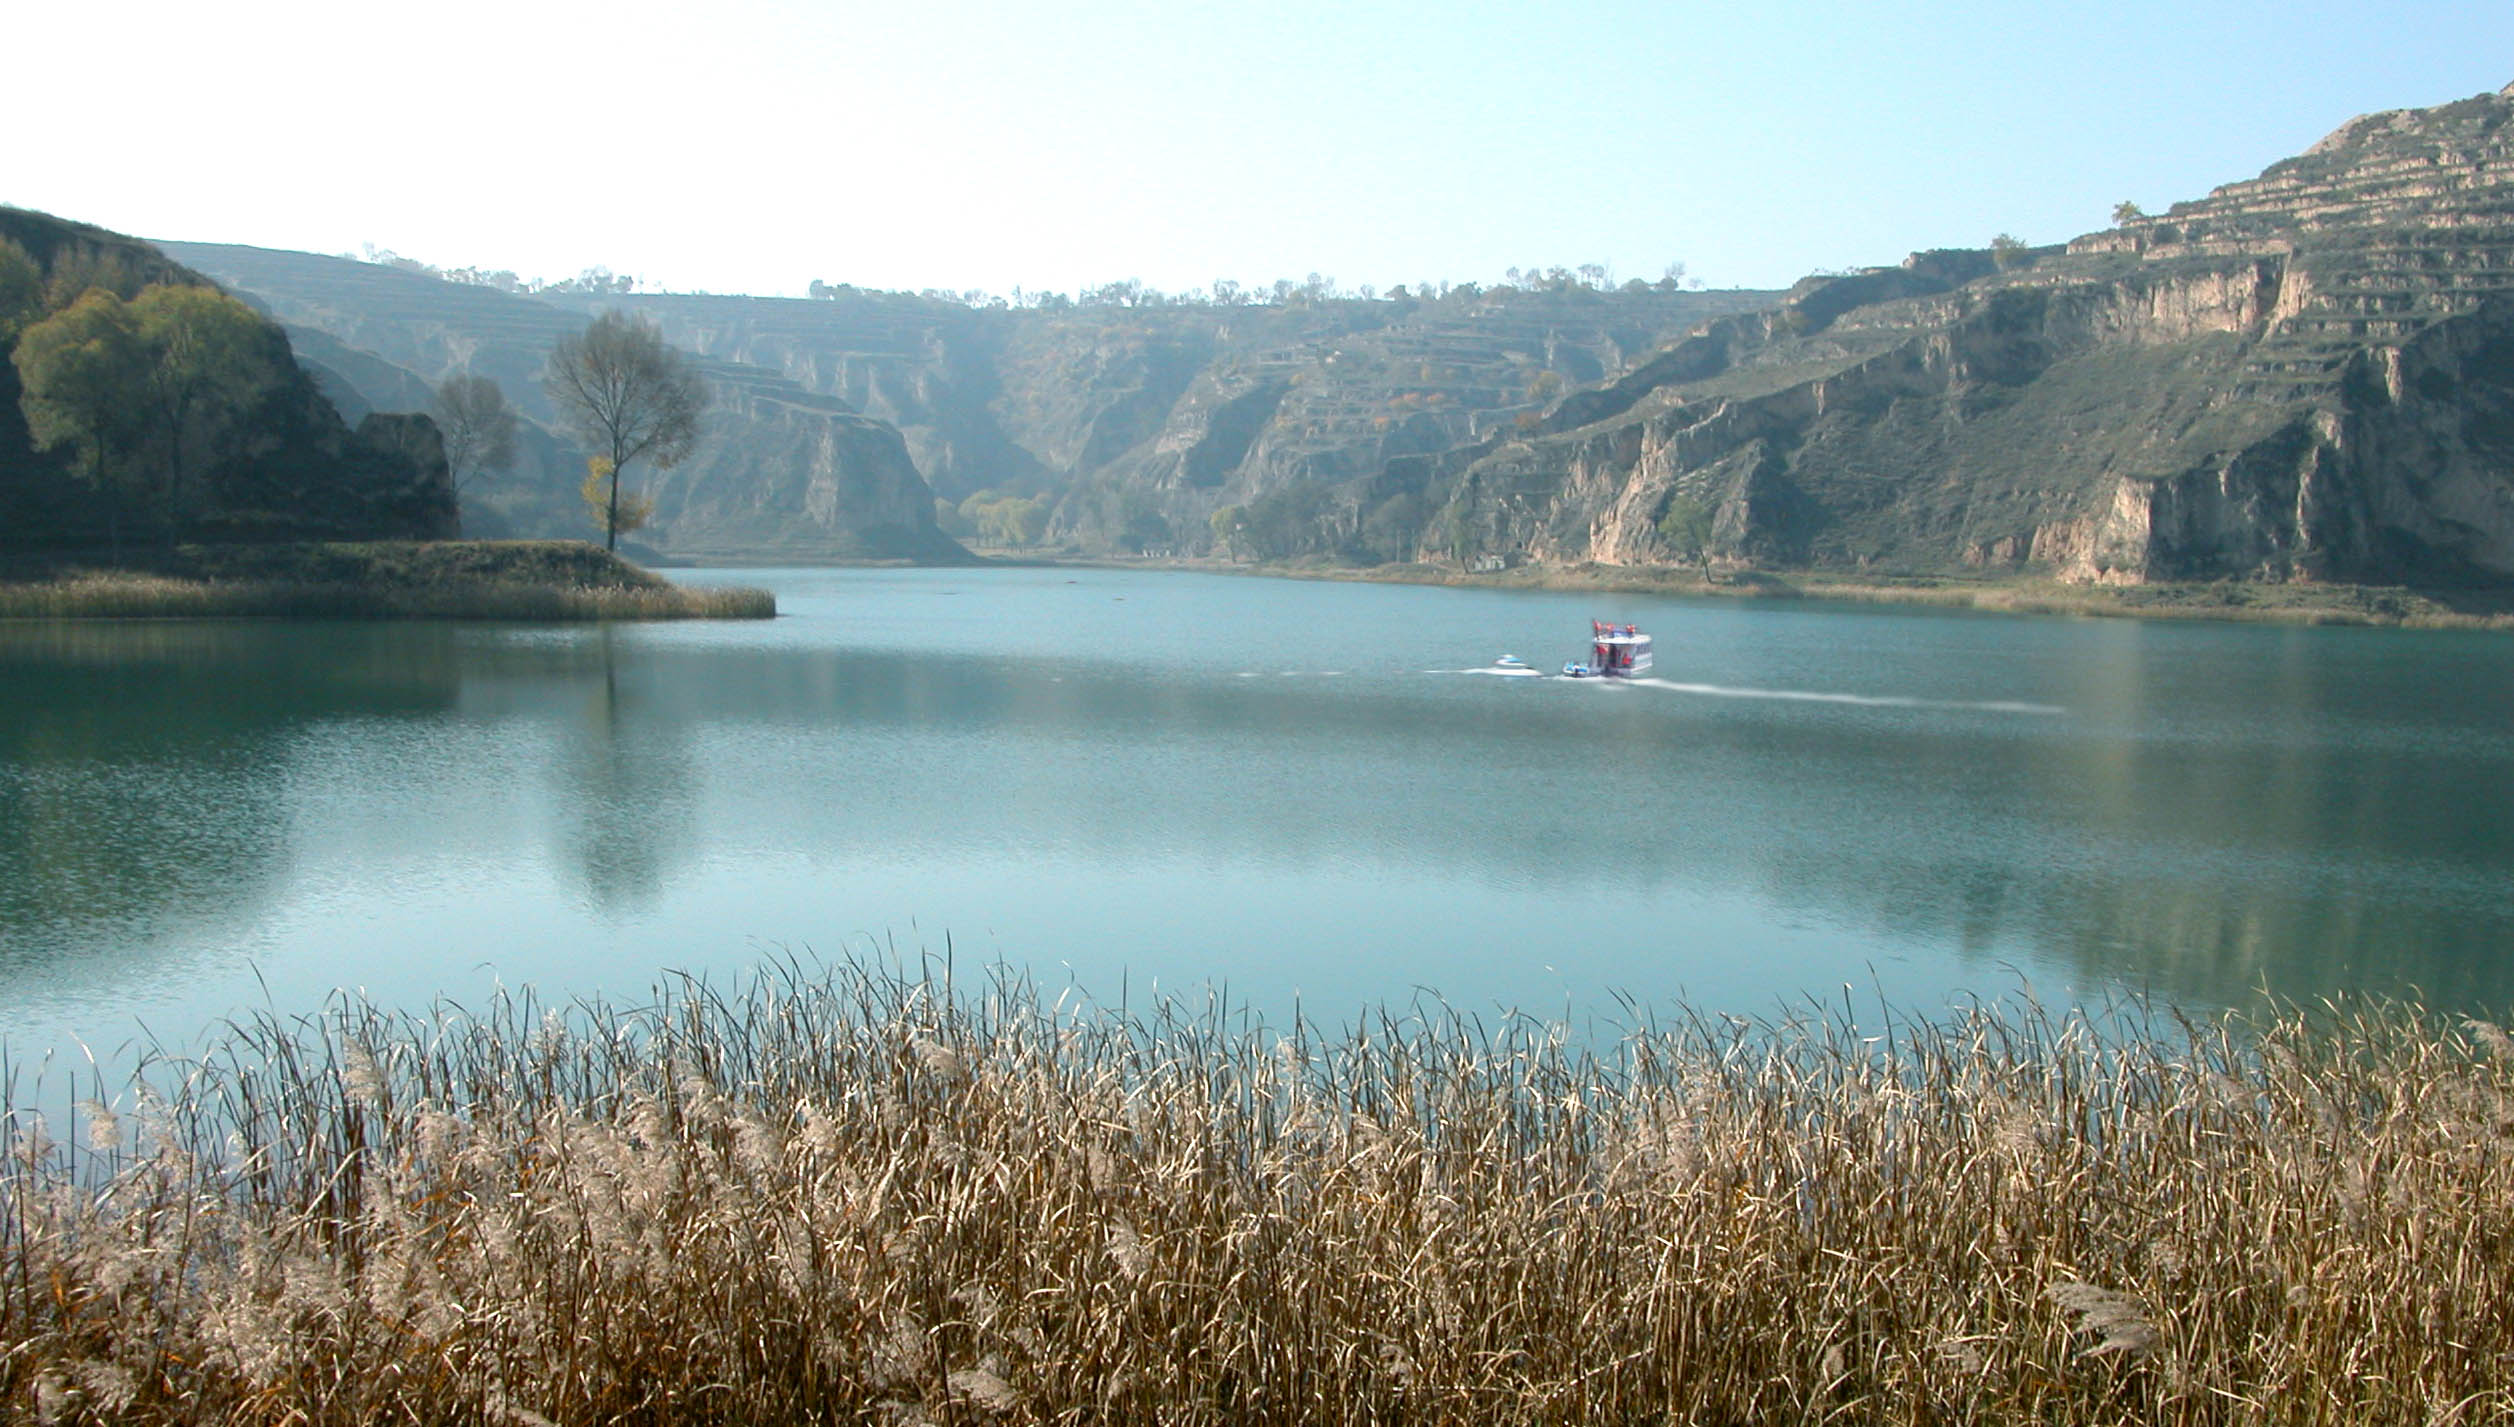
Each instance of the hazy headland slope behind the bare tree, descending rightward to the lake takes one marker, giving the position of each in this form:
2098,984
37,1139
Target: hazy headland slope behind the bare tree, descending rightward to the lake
781,471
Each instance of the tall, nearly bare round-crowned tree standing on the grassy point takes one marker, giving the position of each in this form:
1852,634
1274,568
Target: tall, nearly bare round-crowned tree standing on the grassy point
630,398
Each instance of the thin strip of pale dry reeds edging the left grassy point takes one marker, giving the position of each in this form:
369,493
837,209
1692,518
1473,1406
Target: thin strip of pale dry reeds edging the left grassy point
167,597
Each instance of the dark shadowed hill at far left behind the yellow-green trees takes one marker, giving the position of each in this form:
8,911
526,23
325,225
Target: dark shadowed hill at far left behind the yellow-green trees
265,461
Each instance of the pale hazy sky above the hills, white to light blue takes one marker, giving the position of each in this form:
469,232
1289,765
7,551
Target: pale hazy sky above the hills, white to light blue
763,144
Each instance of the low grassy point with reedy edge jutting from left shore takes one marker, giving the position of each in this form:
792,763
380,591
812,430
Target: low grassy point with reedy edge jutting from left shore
376,579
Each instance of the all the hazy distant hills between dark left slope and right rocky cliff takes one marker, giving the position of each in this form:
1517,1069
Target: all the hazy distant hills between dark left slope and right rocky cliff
1138,423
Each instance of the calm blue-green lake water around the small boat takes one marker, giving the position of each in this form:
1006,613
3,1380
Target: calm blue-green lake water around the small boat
1298,790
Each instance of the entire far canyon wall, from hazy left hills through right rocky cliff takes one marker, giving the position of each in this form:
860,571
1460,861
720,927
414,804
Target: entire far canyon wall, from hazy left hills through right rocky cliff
2307,376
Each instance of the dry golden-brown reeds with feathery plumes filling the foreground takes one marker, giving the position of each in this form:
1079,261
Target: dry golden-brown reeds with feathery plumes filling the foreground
856,1197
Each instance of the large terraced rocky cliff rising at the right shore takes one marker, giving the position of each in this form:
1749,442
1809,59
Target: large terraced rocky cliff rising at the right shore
2304,376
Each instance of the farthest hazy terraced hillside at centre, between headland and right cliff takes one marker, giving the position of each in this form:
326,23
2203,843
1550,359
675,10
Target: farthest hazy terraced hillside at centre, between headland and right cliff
1143,421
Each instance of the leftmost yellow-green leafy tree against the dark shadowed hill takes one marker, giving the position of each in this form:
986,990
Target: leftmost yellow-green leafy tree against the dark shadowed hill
84,383
